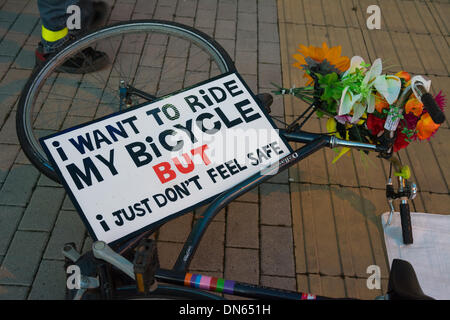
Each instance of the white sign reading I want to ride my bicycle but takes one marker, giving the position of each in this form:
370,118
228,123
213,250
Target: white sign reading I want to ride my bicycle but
136,167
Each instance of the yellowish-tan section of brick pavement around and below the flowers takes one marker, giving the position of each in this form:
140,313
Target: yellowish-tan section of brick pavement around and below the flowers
336,208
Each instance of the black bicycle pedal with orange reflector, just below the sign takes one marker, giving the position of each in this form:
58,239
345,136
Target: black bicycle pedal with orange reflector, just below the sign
145,265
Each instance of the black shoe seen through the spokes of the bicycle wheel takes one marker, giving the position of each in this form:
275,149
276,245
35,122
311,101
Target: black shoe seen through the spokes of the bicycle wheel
86,61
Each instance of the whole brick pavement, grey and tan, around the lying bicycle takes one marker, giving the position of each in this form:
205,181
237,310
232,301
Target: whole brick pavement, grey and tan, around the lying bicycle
317,231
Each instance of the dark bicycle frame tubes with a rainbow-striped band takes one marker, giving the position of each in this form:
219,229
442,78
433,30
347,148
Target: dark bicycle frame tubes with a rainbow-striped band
194,282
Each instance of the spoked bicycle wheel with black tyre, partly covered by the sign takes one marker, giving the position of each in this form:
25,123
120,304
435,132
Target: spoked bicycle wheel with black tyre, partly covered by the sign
153,56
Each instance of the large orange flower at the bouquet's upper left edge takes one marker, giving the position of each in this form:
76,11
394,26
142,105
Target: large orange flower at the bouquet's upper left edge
333,56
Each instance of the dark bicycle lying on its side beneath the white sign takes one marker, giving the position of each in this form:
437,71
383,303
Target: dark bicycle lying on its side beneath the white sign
106,271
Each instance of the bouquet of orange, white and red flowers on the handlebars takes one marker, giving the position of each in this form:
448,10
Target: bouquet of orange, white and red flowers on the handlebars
360,101
